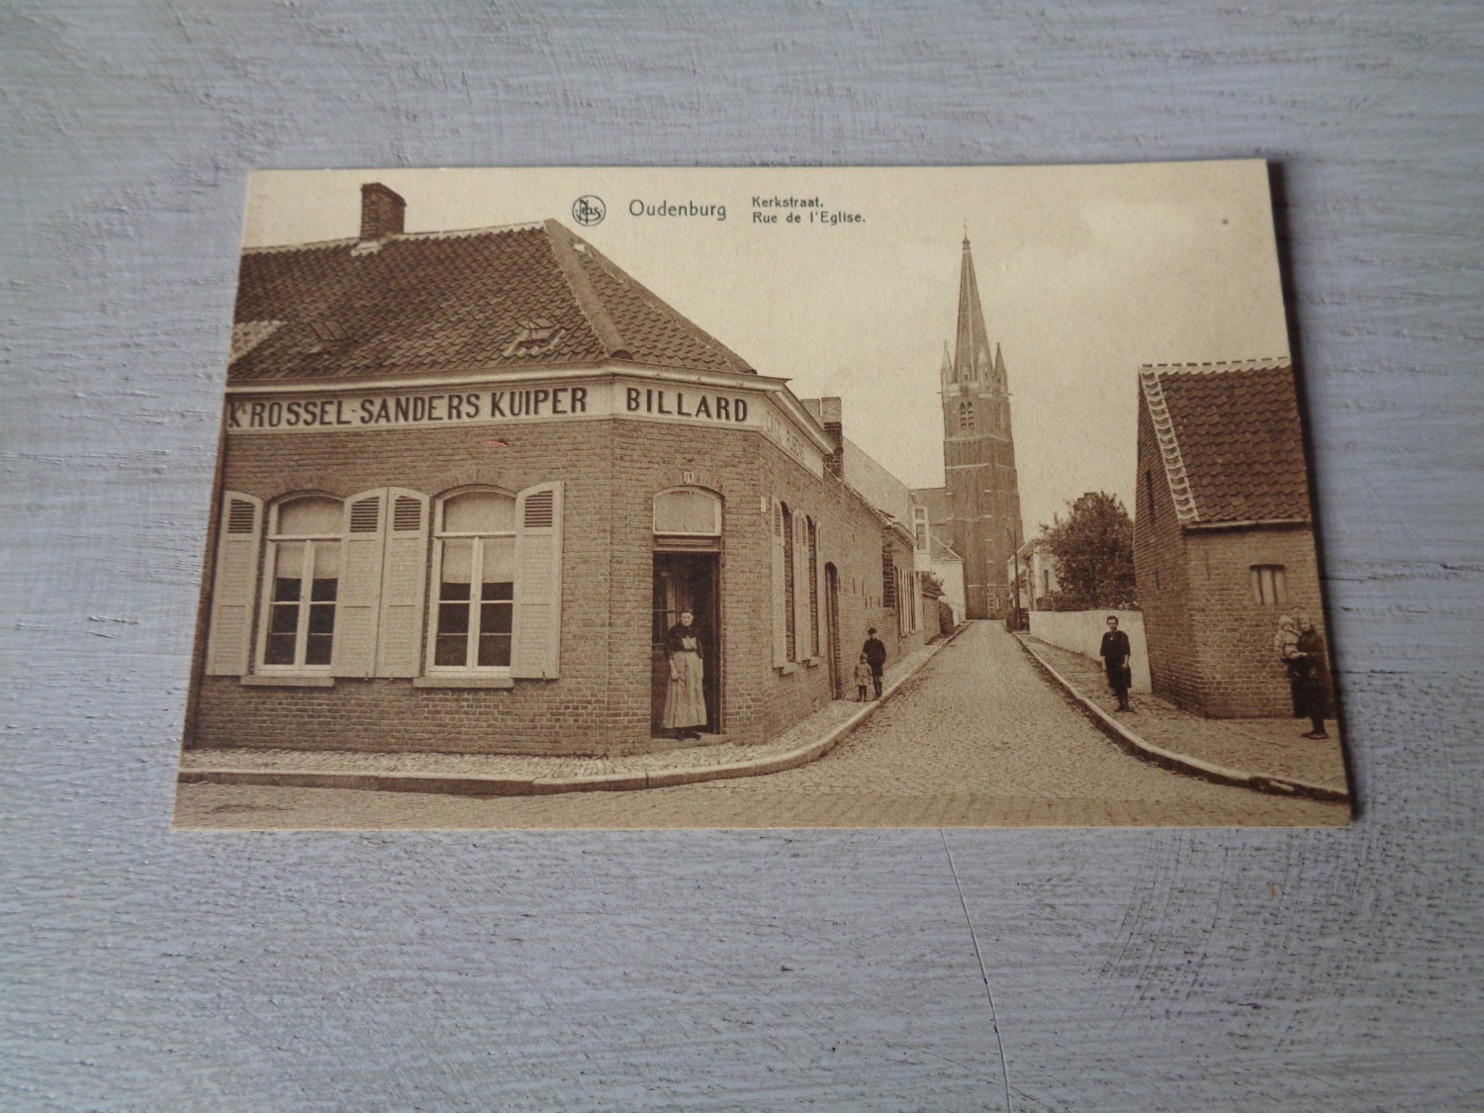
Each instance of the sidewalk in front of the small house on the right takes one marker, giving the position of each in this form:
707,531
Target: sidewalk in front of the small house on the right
1268,754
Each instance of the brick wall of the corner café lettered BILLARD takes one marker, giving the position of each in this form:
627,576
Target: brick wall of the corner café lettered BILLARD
602,702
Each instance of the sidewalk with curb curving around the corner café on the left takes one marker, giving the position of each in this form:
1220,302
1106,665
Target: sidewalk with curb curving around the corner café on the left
459,774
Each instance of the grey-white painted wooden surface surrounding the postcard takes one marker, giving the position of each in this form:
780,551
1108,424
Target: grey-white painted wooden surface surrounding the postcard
798,971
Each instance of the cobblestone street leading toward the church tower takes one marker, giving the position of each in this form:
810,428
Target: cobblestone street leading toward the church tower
980,738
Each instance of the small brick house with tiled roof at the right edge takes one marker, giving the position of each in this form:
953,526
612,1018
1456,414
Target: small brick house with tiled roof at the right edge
1224,535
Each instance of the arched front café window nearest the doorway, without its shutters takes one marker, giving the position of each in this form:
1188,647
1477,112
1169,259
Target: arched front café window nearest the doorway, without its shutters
474,576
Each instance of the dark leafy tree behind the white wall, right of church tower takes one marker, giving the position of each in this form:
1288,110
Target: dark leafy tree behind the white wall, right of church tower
1094,553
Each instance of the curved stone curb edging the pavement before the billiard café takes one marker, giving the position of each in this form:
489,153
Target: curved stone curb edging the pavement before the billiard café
640,780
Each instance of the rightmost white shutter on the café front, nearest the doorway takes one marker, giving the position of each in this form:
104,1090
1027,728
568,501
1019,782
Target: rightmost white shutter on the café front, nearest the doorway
536,640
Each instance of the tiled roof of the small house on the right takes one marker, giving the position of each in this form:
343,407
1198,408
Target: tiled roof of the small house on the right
1231,440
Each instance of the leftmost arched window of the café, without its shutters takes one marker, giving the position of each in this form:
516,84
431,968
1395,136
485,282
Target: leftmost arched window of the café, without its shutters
303,585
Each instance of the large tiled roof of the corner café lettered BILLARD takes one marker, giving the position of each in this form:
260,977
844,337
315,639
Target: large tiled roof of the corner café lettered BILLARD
520,297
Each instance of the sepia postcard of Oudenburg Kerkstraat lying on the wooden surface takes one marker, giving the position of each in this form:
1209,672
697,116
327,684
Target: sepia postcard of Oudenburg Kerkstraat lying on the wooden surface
762,498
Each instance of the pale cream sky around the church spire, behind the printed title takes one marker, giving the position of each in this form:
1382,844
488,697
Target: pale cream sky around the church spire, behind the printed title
1086,274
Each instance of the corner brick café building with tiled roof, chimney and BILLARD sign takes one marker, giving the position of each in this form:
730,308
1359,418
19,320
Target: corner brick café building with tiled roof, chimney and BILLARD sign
468,481
